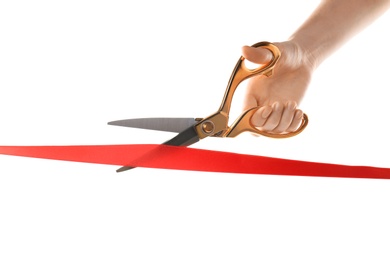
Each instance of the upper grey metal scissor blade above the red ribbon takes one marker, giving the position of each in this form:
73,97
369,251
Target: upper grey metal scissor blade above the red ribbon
175,125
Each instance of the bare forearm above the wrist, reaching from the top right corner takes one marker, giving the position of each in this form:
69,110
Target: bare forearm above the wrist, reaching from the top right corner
333,23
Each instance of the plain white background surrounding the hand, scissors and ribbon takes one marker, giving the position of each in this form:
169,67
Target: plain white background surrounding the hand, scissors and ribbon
69,67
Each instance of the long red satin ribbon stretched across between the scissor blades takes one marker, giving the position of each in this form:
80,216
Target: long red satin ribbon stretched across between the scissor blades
184,158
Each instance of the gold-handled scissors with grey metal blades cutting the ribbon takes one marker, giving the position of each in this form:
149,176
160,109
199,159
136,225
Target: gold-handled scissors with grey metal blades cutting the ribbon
191,130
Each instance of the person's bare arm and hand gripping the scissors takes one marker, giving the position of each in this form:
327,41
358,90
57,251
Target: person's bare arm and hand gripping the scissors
326,29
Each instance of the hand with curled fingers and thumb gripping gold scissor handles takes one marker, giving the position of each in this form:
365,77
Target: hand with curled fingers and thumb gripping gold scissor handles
278,95
